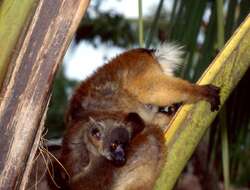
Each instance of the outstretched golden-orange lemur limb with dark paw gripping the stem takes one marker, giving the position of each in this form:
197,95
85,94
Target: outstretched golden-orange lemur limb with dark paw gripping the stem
159,89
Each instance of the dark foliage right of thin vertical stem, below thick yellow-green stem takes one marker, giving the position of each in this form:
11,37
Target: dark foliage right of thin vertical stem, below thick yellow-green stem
238,117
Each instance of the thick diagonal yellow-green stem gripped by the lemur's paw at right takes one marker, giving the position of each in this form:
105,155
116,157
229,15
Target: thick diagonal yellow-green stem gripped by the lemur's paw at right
191,121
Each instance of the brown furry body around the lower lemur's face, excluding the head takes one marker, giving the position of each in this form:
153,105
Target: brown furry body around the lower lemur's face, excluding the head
145,156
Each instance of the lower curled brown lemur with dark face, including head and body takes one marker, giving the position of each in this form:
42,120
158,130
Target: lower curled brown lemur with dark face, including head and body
111,151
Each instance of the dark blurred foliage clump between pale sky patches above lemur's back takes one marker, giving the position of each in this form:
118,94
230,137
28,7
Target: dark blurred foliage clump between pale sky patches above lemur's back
107,27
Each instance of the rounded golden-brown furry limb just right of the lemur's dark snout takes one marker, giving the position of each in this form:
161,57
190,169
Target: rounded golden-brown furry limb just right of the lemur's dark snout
147,154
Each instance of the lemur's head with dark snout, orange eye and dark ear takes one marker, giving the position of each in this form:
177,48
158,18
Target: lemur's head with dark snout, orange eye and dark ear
109,135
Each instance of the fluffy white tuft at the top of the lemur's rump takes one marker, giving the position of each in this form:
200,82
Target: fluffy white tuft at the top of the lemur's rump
169,56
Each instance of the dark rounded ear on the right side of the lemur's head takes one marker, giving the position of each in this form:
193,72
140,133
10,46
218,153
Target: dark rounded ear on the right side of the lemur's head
135,122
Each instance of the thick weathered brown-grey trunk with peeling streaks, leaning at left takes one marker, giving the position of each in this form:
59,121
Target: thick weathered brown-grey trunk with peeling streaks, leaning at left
27,86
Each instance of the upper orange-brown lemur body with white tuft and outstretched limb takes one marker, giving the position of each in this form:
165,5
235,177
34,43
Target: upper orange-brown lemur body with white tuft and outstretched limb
141,81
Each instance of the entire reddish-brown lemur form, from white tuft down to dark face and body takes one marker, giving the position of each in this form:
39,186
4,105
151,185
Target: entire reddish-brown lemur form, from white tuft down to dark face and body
113,139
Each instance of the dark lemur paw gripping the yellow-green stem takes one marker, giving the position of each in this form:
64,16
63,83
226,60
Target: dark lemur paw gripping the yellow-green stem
212,94
